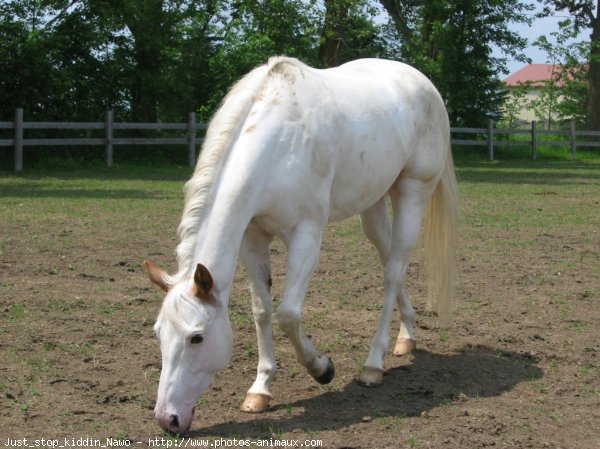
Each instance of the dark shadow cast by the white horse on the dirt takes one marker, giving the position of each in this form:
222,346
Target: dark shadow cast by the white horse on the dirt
432,380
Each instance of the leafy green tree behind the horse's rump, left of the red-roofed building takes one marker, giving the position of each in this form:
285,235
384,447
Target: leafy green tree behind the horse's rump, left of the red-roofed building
451,41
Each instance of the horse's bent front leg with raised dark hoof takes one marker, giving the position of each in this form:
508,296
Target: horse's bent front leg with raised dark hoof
303,245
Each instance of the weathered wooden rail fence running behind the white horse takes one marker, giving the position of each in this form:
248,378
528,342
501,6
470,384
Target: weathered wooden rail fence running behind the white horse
487,136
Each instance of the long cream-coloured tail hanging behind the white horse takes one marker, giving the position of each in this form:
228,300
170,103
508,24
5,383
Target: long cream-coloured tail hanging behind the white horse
440,242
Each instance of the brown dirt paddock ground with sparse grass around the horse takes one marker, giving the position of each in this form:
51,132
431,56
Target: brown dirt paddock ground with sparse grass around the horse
519,367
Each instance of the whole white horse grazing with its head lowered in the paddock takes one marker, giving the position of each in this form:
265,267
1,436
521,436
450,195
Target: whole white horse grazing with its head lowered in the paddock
290,149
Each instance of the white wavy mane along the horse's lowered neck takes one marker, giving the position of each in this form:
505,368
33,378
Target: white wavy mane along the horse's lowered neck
220,135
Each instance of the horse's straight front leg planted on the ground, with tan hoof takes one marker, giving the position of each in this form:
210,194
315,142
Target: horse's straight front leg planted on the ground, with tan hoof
254,254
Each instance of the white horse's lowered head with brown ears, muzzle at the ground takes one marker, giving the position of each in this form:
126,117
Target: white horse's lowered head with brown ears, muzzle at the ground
195,341
